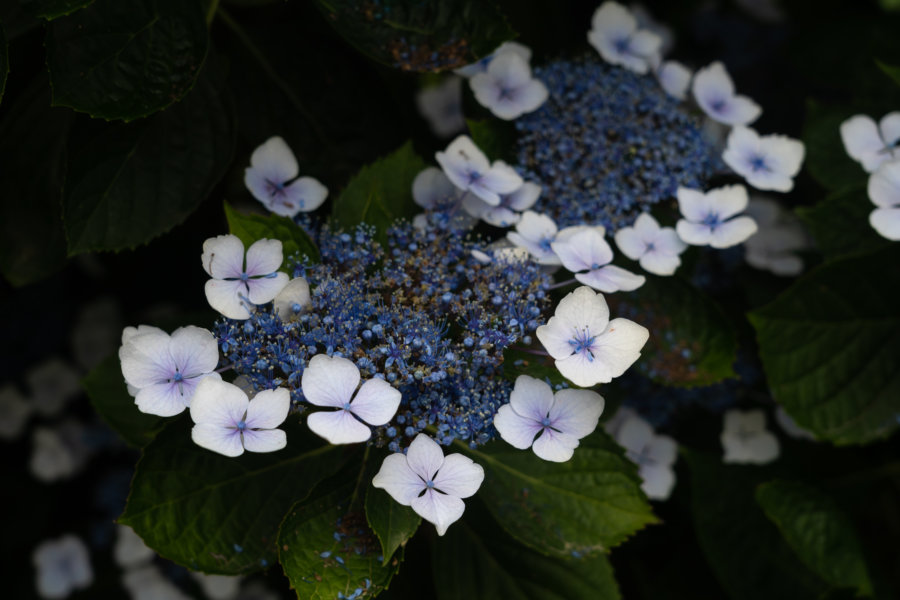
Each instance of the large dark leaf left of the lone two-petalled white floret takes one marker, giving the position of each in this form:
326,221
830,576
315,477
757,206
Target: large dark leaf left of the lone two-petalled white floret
129,183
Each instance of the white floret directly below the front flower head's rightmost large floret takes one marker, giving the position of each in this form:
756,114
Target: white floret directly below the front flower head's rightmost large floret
560,419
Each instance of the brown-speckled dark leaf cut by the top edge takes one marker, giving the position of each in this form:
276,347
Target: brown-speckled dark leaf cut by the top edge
420,36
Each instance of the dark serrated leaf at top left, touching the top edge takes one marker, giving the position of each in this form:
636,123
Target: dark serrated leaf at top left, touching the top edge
125,60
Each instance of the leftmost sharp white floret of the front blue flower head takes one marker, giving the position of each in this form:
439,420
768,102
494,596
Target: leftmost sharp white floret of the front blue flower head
164,370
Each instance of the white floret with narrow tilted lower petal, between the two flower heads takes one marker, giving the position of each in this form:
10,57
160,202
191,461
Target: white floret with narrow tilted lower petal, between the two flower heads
585,252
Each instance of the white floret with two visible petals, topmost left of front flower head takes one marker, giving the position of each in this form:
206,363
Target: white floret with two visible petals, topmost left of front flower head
272,179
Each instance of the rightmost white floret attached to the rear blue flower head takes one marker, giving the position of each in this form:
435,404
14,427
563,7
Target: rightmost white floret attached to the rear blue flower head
767,162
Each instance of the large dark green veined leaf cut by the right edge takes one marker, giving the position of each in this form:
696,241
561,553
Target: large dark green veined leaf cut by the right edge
830,347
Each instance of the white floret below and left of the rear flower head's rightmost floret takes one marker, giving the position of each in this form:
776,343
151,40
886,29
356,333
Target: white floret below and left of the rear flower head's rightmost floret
710,219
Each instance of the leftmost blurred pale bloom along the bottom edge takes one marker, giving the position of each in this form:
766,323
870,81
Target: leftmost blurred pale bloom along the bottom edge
63,566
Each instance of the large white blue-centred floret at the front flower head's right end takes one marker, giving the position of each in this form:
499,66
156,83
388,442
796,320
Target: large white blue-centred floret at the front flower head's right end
588,347
